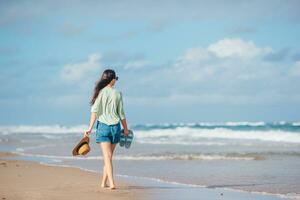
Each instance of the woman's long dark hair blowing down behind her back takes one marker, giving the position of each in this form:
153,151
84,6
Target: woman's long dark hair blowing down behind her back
107,76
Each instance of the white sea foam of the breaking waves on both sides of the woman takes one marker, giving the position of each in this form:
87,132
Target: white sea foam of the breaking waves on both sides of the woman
180,135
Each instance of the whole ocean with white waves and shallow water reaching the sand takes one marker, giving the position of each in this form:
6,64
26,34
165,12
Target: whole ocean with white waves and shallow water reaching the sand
259,157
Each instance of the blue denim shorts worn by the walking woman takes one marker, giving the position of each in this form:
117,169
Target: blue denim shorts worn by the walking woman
108,133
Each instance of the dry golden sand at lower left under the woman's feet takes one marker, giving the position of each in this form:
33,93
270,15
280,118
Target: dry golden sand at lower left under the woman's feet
30,180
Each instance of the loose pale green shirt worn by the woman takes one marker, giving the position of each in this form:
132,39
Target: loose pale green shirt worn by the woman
109,106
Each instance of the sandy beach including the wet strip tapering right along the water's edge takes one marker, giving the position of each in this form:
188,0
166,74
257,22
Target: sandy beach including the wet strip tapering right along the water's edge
22,179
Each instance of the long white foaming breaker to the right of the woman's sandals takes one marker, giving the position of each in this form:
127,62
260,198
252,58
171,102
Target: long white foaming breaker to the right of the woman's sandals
190,135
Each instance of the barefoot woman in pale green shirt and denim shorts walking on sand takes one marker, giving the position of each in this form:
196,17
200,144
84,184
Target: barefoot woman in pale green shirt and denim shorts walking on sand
107,109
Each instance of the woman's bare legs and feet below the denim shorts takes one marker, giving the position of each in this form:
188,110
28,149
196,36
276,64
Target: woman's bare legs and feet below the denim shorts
107,151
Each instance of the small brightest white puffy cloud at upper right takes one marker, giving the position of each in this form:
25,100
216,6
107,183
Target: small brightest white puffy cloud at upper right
237,48
